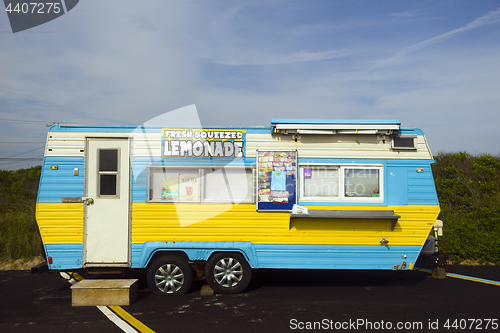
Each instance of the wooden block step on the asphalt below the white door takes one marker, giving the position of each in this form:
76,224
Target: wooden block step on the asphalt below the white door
93,292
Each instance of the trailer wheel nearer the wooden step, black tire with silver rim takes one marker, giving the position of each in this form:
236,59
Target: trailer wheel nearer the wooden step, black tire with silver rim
169,275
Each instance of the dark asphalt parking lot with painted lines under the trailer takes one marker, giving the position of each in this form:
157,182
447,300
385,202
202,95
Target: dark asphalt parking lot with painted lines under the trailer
275,301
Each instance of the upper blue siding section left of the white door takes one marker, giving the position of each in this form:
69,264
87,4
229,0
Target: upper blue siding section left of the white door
55,184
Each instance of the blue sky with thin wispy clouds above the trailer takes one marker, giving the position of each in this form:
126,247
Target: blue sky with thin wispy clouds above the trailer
432,64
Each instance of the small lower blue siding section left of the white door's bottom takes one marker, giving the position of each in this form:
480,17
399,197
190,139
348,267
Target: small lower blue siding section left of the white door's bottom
65,256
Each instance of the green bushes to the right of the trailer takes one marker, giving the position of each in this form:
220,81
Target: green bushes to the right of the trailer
469,195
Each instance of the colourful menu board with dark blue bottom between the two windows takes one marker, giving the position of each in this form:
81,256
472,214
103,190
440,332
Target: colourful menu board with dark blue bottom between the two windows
277,175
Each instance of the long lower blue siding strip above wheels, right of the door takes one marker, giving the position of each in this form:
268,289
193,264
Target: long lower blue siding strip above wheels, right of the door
288,256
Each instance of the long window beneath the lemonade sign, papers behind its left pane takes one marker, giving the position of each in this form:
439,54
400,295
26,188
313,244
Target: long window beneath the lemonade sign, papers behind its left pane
201,184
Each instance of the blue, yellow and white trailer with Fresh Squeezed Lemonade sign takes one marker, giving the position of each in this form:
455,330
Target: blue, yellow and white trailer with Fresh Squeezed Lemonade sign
300,194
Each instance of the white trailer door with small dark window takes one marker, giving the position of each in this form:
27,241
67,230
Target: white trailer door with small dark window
107,209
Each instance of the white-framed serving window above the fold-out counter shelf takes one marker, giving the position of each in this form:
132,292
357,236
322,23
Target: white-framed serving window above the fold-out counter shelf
341,183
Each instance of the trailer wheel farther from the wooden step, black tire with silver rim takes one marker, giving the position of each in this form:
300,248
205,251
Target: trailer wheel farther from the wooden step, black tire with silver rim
228,273
